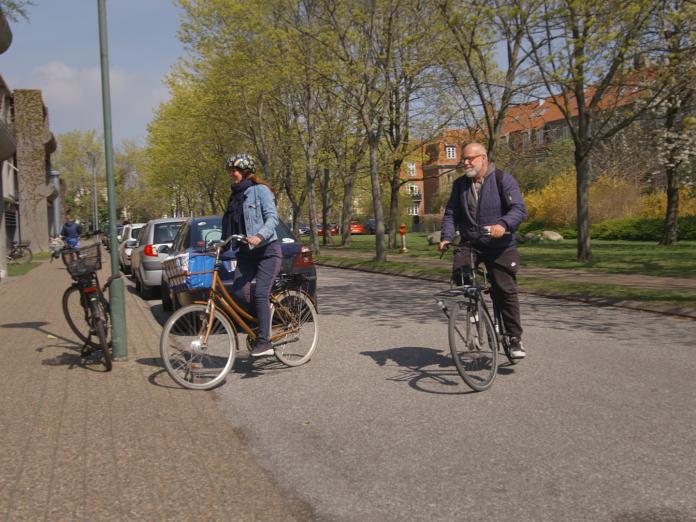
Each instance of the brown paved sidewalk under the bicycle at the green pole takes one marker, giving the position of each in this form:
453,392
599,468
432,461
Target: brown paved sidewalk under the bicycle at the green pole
82,444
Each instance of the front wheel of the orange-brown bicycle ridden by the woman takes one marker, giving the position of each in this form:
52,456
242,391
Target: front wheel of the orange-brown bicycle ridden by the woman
192,357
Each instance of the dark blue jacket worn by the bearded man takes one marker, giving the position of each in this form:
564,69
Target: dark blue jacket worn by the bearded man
491,210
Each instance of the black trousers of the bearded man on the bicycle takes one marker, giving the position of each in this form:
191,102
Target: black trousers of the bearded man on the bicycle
502,266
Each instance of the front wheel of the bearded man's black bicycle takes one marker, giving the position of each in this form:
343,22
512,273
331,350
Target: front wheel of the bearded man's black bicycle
473,344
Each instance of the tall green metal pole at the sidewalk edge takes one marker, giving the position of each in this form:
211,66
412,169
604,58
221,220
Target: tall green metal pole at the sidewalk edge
116,293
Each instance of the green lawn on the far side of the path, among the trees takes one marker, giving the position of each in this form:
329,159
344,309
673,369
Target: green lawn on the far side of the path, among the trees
624,257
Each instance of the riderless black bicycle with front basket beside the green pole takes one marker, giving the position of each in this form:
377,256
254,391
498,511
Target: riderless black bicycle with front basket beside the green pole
85,307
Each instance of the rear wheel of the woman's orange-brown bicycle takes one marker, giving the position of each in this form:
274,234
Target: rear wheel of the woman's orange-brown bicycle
295,327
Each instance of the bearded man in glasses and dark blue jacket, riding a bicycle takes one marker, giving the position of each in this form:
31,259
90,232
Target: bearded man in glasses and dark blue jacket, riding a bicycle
486,206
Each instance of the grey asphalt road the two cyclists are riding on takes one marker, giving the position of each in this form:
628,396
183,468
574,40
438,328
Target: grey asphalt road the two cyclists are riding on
596,424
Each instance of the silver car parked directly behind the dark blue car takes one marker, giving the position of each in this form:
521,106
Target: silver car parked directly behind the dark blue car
146,258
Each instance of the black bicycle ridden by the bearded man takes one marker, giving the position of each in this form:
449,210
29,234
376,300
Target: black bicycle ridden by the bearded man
476,335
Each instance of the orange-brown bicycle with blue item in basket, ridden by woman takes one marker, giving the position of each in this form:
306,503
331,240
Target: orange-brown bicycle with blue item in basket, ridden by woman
199,342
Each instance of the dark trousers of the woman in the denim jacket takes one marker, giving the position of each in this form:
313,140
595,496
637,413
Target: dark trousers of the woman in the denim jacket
262,263
